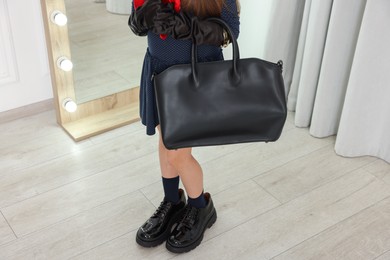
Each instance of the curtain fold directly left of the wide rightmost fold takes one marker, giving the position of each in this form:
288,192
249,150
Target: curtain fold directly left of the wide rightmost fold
338,56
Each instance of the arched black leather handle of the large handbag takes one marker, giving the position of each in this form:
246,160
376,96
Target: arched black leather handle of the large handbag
236,51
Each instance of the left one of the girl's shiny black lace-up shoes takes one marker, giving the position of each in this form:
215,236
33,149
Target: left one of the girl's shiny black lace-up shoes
158,227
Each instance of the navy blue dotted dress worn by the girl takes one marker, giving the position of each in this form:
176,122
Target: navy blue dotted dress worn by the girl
162,54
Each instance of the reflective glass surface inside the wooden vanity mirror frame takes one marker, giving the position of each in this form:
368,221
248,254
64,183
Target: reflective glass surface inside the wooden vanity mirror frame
107,57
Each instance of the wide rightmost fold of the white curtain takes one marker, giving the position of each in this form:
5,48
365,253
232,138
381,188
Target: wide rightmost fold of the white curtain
365,121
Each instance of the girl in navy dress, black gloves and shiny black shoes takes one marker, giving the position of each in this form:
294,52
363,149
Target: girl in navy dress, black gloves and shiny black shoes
170,29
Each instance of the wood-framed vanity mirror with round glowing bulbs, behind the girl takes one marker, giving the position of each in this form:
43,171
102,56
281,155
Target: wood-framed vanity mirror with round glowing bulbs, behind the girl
95,64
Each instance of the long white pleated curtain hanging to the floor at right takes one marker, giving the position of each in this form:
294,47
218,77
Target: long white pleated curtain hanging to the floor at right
337,57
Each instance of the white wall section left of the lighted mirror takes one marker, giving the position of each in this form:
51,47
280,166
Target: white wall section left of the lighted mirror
24,69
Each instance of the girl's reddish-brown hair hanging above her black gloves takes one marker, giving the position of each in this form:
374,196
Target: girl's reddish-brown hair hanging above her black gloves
205,8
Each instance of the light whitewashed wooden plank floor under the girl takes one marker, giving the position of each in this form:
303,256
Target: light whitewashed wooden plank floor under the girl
293,199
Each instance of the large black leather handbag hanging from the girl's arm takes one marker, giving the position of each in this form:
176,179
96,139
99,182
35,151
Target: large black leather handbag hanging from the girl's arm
221,102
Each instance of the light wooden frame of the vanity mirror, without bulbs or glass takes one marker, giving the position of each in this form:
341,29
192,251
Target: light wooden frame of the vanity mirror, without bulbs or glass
93,117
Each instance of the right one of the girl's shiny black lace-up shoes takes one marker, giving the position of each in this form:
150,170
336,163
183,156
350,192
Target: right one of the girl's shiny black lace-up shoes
189,232
